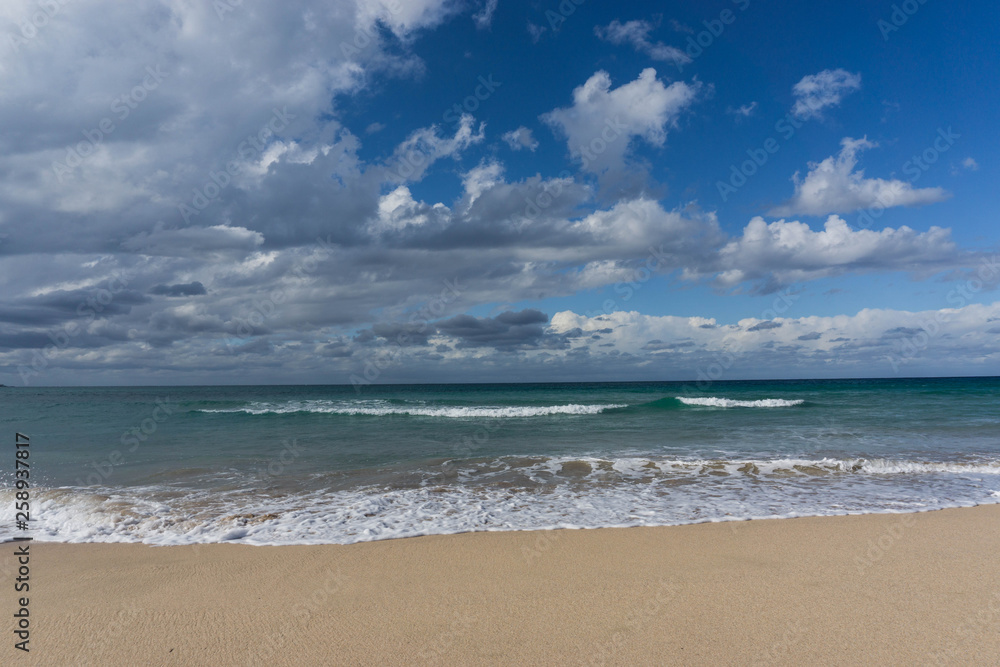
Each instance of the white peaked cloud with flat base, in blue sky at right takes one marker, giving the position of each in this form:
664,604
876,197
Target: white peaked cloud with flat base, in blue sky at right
832,186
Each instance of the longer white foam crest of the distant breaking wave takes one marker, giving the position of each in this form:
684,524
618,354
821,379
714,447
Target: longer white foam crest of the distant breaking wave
381,408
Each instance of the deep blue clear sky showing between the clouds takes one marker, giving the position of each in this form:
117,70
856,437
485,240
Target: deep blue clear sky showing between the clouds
909,93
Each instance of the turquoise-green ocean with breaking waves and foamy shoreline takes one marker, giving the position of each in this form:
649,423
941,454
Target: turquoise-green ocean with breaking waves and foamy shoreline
333,464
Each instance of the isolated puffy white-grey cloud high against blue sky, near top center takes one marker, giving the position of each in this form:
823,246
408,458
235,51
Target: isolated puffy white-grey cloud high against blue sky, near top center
602,122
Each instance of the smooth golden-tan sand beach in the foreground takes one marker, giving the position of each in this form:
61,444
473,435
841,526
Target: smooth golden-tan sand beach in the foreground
878,589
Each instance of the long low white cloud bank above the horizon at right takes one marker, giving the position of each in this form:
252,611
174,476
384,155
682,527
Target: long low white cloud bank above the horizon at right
873,341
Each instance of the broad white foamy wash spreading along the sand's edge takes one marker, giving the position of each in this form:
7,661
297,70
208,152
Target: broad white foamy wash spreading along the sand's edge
607,492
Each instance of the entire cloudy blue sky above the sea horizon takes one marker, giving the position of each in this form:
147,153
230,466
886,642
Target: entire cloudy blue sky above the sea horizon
372,191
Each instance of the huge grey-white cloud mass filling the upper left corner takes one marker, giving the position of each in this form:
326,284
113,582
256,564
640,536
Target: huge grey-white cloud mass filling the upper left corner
179,102
